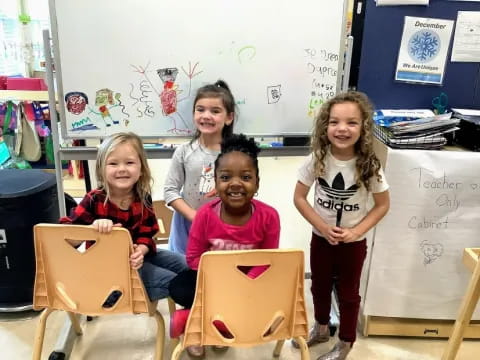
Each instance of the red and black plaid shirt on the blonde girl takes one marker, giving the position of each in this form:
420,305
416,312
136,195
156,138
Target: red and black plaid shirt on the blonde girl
142,226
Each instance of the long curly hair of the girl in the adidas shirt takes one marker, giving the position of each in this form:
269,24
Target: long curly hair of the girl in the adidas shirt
367,164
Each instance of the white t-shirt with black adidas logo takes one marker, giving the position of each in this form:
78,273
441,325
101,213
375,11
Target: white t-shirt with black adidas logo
337,196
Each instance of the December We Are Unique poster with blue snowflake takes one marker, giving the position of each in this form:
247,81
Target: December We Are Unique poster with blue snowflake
423,50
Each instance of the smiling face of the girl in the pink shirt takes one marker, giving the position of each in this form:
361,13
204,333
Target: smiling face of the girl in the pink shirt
236,182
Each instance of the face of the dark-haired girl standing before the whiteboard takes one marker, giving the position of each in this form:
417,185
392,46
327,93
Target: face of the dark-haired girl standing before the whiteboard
210,116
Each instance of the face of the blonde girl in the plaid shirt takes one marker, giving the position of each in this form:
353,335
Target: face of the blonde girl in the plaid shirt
122,168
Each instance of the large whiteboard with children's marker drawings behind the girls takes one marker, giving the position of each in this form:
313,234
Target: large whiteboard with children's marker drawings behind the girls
136,65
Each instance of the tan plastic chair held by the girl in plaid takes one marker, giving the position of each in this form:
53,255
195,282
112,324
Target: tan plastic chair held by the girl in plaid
79,283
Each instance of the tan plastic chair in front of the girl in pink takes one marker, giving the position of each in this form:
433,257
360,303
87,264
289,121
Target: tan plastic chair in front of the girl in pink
270,307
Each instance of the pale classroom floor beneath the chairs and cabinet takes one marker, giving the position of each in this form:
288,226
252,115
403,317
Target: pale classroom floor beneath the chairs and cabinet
132,337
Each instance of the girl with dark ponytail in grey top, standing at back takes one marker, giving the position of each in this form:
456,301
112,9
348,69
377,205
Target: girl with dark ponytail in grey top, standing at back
190,182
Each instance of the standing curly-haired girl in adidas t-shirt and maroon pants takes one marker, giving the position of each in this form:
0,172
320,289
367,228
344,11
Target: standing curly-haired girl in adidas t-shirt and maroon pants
345,171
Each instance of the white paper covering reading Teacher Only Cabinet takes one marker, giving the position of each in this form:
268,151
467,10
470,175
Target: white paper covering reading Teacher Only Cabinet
416,269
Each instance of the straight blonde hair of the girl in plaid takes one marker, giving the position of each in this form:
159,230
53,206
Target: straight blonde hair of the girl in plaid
143,187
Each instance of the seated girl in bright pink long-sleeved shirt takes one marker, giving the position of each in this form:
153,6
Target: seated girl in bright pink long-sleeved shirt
235,221
